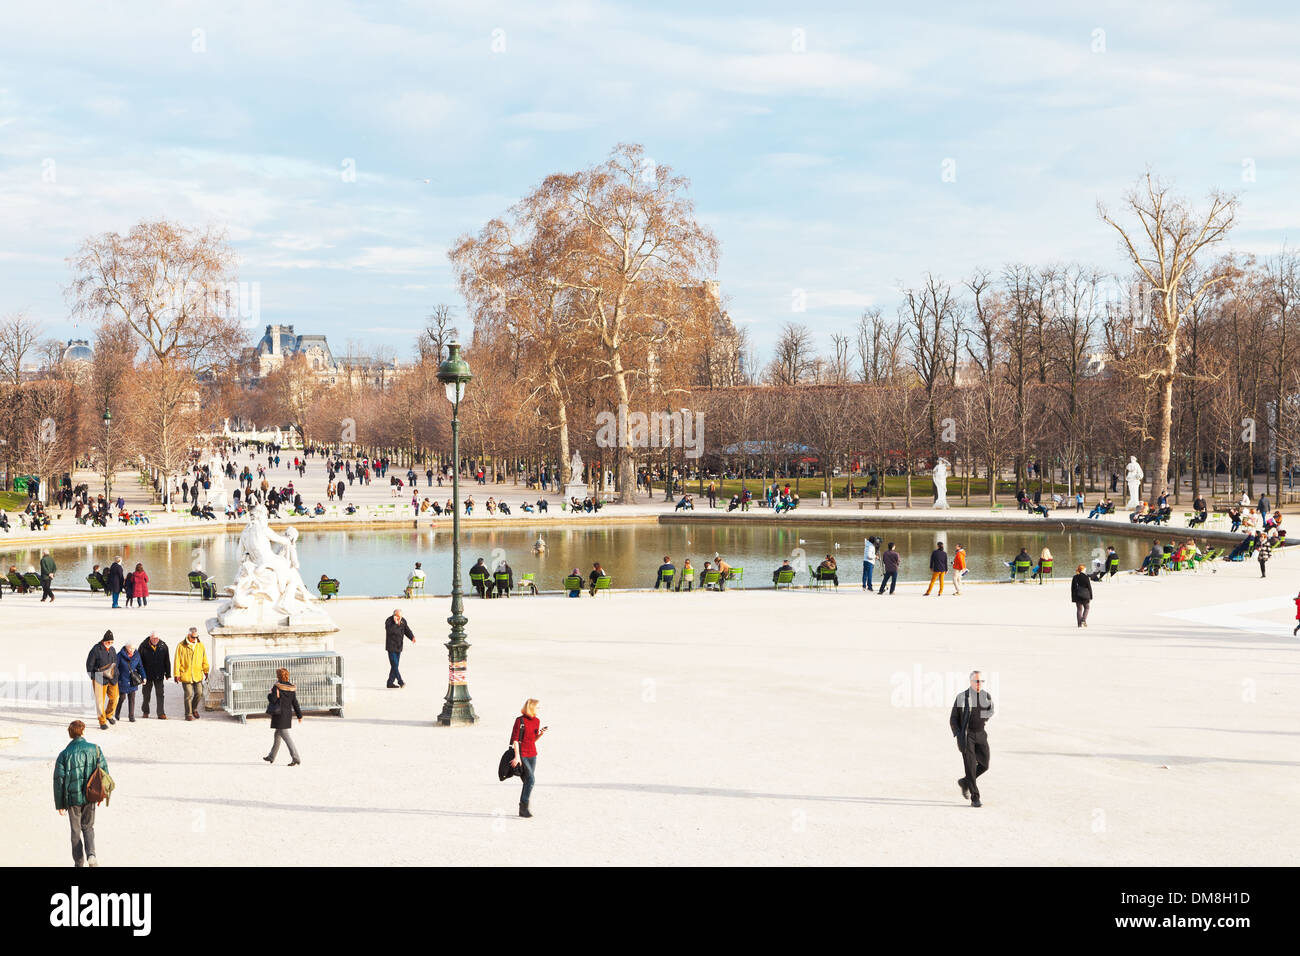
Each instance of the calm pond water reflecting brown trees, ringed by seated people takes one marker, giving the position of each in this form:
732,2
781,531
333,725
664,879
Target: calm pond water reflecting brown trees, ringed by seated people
378,561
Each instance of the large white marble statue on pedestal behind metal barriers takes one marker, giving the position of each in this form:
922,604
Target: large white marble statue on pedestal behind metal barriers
270,591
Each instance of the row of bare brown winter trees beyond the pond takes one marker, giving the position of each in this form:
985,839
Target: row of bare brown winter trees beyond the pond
595,292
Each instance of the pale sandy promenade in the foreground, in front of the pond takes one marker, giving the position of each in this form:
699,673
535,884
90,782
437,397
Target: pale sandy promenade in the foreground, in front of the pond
717,729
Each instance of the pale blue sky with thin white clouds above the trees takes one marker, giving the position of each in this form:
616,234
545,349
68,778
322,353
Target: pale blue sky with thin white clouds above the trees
839,153
